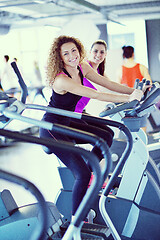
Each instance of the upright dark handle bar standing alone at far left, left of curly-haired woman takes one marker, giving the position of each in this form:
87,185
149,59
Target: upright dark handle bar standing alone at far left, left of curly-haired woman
21,82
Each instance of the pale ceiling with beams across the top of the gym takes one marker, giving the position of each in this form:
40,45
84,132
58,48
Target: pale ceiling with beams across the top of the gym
26,13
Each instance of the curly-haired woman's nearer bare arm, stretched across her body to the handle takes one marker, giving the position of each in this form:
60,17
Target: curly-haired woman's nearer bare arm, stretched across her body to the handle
65,84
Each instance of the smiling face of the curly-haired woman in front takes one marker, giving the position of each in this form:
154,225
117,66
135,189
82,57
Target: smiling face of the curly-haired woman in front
70,54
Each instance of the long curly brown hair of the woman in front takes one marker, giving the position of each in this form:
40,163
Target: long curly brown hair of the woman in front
55,63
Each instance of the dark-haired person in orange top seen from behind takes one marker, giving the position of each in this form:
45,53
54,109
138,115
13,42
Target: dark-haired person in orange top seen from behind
132,70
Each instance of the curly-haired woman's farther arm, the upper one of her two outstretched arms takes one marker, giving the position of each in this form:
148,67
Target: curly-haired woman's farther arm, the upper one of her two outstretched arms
104,81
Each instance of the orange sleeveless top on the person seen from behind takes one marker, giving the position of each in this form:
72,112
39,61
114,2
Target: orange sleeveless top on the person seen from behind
129,75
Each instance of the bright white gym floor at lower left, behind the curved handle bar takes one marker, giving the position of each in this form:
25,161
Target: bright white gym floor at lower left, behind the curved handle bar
29,161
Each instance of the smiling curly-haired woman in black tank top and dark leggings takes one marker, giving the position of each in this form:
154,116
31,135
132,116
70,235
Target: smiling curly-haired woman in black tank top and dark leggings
65,72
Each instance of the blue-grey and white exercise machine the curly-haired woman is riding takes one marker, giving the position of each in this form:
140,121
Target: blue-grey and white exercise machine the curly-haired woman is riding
136,202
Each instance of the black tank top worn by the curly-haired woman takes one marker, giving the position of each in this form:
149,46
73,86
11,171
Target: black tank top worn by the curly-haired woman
67,101
